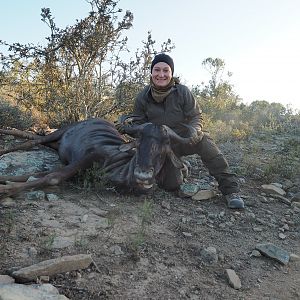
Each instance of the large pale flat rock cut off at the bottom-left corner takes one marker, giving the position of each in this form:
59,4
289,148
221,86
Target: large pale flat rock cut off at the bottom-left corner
26,292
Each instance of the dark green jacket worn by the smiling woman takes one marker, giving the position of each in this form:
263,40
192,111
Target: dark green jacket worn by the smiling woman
178,107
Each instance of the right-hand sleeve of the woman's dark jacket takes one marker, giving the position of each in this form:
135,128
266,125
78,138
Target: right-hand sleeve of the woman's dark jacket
192,111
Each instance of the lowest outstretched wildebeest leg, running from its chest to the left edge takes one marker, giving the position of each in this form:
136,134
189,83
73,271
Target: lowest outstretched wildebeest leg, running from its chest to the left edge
51,179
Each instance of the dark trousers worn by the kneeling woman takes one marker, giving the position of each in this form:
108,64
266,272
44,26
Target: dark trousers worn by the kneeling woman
170,178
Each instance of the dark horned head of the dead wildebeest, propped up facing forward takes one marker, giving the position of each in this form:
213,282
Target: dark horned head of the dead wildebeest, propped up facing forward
153,145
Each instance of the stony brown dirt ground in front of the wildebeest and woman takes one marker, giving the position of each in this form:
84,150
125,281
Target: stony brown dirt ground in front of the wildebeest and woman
153,246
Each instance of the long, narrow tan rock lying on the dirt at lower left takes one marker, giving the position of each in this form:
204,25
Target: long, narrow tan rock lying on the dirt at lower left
52,267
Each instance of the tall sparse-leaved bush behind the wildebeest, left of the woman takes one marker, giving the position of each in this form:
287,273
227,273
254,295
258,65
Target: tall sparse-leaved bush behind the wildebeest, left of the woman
80,72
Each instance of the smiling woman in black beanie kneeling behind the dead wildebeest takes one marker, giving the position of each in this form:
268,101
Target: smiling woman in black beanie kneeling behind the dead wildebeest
166,101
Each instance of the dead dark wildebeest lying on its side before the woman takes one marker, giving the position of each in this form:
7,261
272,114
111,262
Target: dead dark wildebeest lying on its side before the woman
134,165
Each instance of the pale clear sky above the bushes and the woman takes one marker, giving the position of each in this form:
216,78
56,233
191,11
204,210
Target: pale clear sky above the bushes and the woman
259,40
